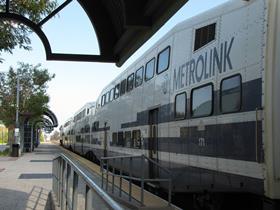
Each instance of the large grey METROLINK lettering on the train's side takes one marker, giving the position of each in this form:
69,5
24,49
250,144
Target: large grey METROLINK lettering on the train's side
205,66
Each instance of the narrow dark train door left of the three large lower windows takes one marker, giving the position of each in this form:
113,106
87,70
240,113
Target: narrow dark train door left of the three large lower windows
153,142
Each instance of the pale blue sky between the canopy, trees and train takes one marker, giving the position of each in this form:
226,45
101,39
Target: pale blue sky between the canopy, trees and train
77,83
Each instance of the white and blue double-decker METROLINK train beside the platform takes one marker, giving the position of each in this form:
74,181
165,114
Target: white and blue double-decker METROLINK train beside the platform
203,102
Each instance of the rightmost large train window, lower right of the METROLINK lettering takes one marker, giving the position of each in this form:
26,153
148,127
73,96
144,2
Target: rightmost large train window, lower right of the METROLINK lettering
230,94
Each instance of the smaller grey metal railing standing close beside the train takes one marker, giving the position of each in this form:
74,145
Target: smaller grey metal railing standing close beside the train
130,177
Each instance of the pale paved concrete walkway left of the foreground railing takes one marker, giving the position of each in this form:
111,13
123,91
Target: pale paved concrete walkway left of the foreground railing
26,182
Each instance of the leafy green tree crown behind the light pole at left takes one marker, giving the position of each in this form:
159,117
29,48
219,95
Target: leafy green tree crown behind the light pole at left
33,98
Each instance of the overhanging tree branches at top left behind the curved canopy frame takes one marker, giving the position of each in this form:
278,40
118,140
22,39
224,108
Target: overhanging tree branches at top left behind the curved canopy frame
15,34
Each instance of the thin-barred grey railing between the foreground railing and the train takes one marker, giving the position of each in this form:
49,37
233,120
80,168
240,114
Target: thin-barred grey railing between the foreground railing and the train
107,169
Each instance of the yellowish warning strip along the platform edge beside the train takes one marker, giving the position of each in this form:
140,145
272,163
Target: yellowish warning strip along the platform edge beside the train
150,200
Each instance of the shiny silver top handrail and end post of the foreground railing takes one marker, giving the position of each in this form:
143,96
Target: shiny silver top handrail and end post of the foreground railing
100,192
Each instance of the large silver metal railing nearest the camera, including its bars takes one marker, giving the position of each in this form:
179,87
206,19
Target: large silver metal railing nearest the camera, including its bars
74,189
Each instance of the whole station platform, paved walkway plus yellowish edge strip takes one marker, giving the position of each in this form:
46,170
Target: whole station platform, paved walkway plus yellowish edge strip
26,182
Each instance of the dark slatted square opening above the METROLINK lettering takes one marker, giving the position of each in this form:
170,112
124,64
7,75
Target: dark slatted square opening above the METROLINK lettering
204,35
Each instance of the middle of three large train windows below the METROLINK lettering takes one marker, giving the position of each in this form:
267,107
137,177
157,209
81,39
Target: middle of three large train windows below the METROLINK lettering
202,101
